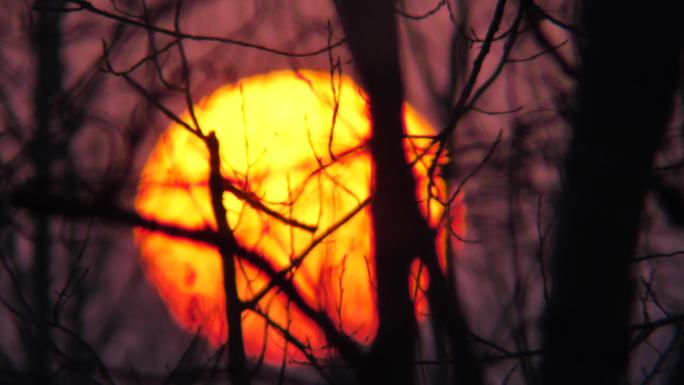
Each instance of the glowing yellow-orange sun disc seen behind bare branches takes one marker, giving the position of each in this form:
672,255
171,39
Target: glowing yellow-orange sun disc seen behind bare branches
293,146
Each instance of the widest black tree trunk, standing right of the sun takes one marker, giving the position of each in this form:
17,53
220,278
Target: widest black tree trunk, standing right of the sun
630,59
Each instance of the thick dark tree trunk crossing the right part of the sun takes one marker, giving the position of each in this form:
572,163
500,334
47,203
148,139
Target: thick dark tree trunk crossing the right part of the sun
371,30
